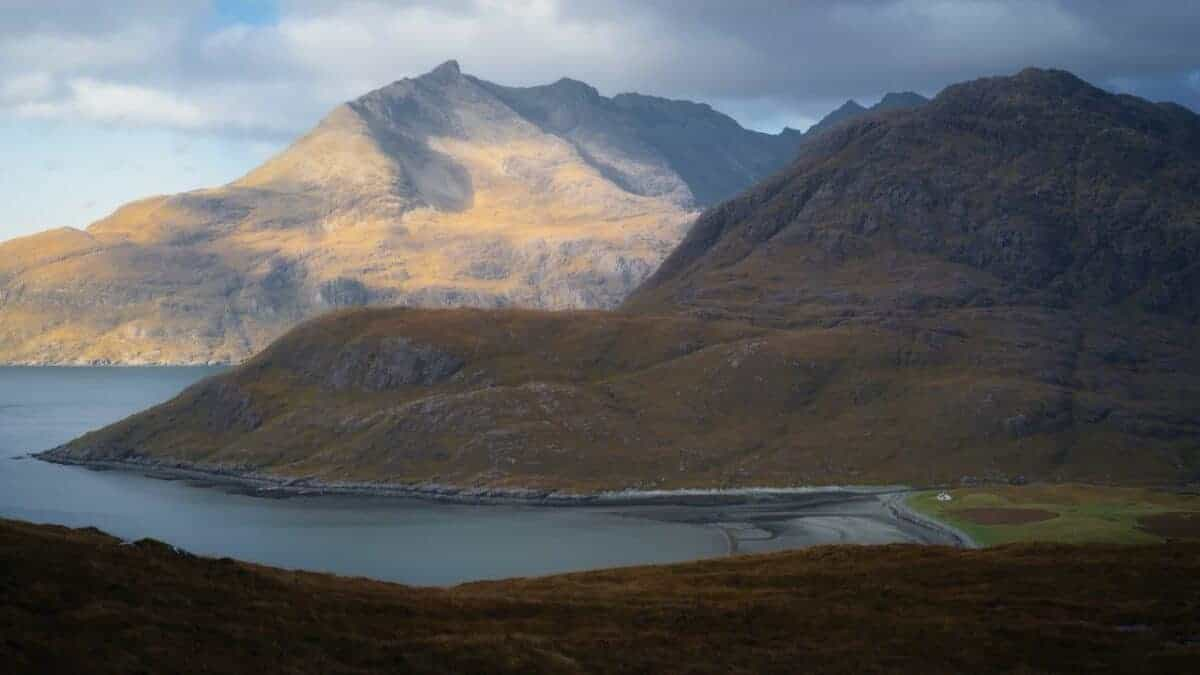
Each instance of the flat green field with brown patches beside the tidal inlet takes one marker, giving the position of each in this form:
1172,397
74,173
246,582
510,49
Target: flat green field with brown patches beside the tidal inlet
1082,513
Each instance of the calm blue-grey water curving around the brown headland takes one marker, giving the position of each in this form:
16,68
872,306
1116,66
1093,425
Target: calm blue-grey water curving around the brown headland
413,542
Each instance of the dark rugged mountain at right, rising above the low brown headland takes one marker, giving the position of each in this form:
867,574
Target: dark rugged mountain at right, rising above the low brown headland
1037,189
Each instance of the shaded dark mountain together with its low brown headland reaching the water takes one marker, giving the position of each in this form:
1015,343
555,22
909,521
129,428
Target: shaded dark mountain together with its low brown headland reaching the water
1000,285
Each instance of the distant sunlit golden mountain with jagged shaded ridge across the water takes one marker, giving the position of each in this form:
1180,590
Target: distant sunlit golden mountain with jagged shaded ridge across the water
439,192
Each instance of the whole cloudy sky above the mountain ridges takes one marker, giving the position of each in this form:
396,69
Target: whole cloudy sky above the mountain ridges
107,101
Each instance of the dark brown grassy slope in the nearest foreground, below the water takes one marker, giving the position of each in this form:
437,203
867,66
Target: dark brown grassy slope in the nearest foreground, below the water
81,601
